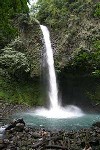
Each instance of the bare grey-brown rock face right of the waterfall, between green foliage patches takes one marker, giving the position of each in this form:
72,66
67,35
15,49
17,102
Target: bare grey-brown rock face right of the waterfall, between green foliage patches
80,30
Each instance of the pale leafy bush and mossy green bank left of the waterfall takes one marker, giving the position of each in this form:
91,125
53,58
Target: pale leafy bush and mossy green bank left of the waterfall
16,85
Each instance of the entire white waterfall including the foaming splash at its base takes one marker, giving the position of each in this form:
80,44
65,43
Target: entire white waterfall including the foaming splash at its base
55,110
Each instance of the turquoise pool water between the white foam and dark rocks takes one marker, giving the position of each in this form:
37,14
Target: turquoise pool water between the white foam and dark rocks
58,124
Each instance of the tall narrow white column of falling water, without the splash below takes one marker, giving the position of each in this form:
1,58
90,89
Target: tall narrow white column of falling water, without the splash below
53,90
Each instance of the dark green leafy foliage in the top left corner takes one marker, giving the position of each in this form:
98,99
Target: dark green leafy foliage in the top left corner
9,9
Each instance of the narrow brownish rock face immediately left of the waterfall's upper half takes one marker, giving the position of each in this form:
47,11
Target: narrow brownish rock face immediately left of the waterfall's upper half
31,36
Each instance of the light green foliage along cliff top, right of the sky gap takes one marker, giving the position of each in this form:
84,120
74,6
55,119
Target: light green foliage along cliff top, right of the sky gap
56,13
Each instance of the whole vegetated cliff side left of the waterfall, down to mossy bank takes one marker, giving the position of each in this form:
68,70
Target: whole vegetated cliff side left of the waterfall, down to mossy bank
18,59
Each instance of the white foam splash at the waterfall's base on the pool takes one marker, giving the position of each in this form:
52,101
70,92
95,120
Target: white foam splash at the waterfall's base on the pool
70,111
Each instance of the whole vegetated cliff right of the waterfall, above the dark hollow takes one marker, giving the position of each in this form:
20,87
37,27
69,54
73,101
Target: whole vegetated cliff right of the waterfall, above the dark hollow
75,32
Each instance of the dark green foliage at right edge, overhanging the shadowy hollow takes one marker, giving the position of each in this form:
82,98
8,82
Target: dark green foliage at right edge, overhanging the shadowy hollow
84,60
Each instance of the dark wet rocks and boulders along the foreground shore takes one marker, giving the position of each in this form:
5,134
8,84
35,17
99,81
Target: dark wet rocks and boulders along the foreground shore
21,137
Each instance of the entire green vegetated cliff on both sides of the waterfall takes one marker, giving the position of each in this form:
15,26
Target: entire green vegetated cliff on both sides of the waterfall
75,33
